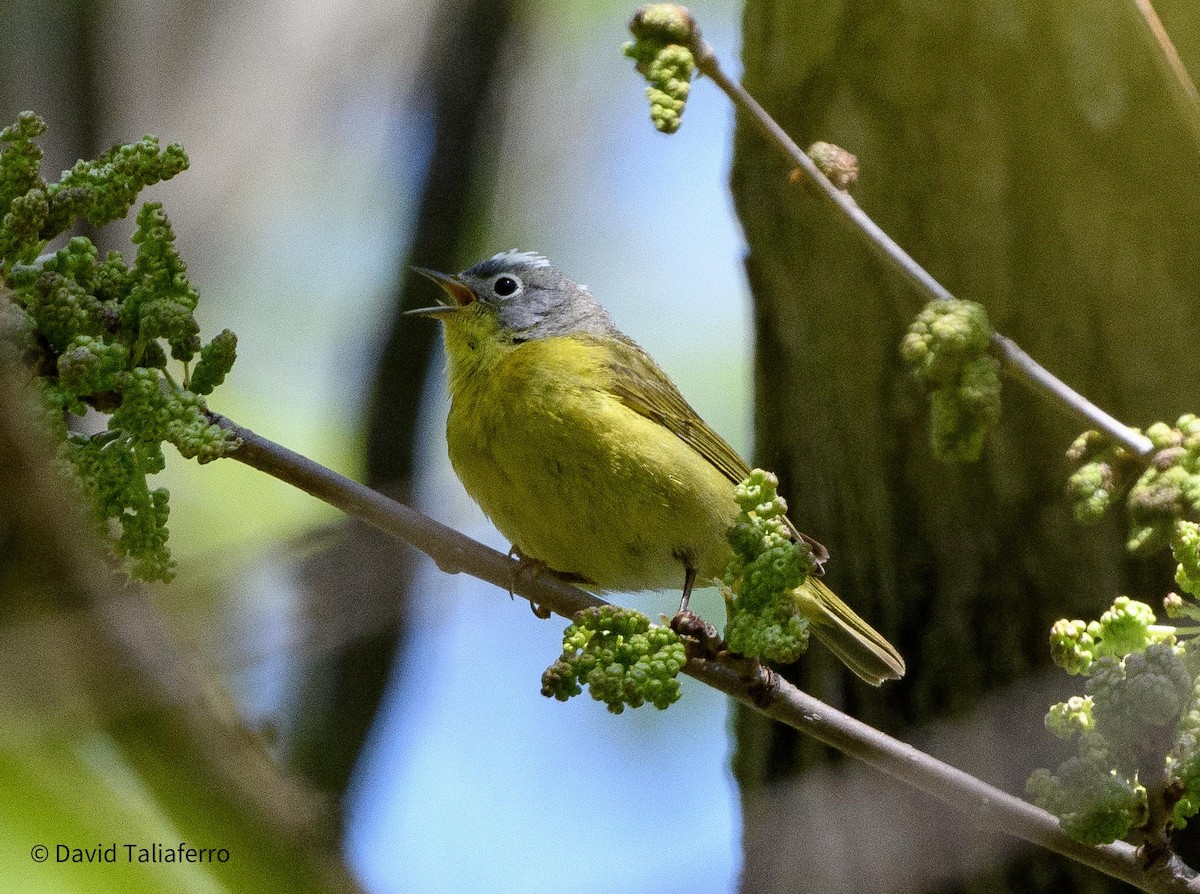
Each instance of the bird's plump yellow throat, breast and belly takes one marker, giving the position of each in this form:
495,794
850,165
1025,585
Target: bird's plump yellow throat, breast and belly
569,473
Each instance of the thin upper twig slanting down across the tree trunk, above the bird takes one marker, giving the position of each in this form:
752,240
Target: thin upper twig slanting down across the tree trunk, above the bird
1018,363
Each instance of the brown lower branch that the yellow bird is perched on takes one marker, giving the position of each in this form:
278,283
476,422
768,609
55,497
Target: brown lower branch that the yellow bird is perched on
765,692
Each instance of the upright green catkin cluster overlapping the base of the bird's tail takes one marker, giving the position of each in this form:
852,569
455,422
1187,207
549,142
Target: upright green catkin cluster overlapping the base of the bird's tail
764,620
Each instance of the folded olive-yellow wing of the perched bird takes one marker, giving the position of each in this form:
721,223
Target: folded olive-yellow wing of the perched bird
647,391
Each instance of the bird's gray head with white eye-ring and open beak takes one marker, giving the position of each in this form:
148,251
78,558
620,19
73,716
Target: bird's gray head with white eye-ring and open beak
530,298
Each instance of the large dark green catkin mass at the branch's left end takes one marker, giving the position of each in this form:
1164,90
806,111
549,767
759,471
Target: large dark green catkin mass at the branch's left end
98,331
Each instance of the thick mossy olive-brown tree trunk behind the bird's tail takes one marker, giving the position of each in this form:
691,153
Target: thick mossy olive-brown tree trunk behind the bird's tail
1033,158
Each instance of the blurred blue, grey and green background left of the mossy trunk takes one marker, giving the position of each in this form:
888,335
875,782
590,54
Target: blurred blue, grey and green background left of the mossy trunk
332,145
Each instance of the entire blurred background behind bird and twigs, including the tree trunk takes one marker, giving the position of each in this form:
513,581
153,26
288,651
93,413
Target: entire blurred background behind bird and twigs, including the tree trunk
341,716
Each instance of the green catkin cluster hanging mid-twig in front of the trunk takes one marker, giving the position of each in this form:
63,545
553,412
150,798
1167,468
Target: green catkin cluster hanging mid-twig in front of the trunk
946,347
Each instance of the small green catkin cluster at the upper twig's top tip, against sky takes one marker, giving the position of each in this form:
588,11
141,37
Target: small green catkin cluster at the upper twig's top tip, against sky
664,34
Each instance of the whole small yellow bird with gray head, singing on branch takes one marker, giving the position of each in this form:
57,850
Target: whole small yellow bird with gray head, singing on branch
587,458
